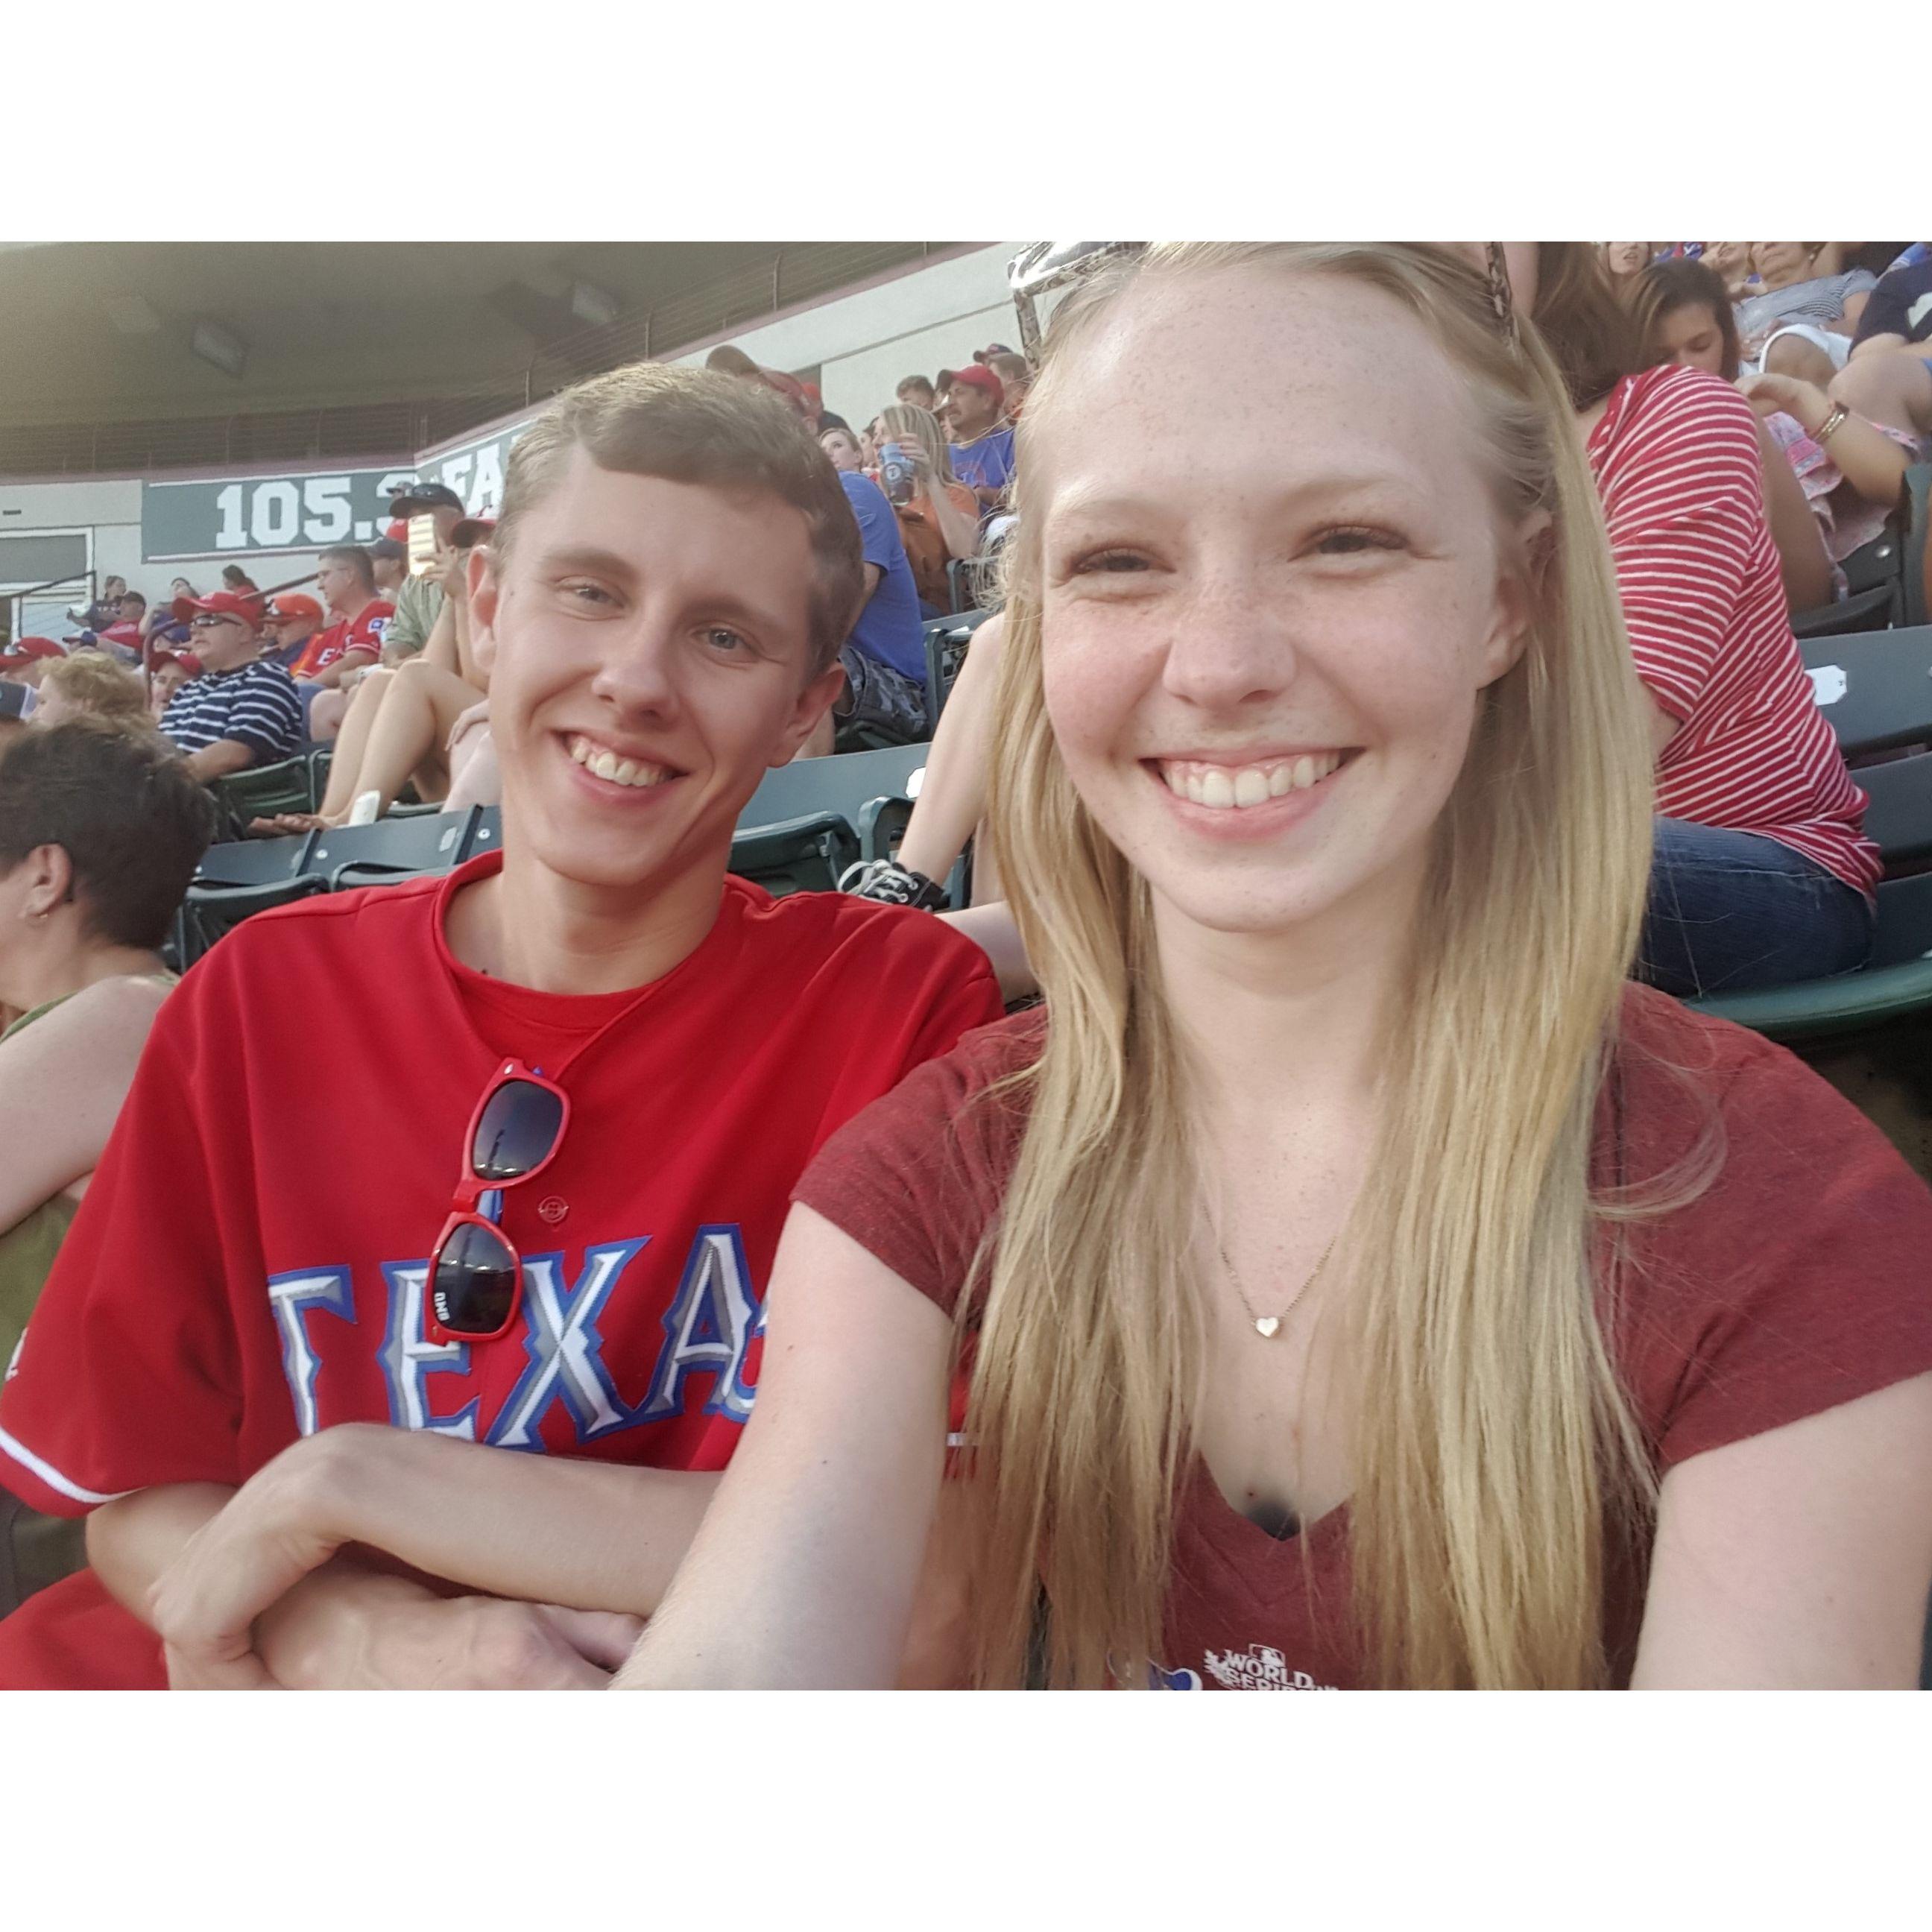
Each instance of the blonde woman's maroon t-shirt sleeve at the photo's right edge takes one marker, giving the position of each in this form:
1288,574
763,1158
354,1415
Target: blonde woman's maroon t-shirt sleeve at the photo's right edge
1800,1282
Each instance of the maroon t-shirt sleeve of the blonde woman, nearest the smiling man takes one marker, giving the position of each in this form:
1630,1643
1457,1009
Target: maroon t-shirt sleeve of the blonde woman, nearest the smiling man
919,1176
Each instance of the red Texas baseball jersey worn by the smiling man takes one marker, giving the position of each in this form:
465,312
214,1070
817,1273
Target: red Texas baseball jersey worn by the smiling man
248,1264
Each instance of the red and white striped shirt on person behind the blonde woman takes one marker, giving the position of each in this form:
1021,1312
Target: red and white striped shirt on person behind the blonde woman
1676,459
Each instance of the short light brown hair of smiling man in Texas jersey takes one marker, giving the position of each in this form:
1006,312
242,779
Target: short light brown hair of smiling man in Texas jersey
718,432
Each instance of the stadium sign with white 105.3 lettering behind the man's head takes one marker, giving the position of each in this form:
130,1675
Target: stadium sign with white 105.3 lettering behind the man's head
221,519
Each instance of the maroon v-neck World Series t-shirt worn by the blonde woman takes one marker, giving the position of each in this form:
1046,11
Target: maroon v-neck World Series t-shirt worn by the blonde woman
1794,1284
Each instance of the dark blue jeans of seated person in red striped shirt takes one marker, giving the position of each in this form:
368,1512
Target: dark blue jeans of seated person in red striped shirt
1732,913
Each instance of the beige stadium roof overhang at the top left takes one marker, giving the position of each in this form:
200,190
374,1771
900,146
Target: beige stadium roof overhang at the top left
152,329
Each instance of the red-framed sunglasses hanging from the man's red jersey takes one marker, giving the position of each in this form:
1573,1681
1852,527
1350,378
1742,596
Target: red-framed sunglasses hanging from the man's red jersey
476,1276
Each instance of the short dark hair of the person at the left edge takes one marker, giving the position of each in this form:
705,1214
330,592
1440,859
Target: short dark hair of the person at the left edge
127,812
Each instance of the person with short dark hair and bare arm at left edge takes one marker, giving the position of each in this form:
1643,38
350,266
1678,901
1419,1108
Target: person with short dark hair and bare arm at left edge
99,834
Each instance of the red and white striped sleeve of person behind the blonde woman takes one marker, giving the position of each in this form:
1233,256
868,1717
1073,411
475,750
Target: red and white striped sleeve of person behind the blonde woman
1682,501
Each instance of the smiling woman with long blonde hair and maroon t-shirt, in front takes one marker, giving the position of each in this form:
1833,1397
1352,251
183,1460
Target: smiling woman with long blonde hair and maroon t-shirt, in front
1361,1282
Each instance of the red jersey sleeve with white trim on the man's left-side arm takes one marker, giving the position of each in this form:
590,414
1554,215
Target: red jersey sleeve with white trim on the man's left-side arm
128,1373
